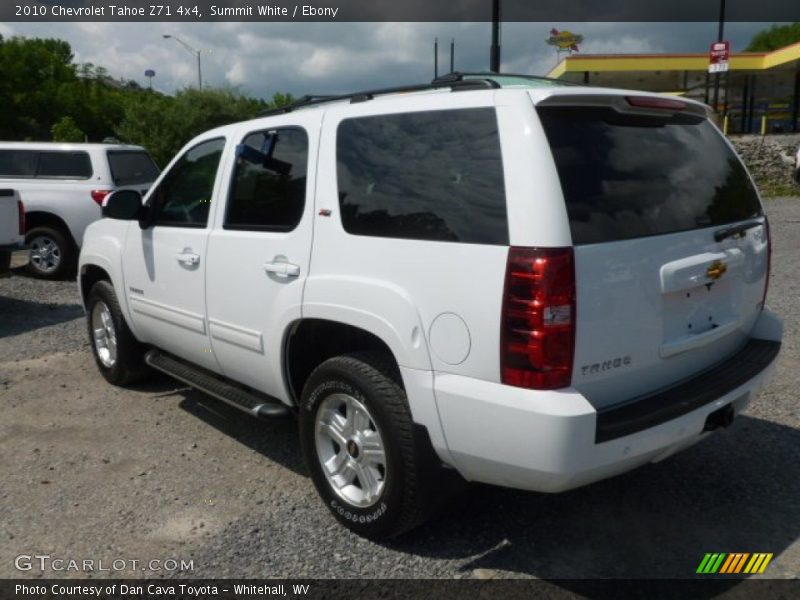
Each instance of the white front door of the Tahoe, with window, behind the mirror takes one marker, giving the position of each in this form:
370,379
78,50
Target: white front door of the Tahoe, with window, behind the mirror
164,265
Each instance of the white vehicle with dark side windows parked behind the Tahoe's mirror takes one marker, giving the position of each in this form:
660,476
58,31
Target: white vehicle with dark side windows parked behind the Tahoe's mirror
63,187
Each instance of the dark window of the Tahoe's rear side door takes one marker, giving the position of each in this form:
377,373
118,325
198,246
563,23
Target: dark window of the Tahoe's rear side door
268,190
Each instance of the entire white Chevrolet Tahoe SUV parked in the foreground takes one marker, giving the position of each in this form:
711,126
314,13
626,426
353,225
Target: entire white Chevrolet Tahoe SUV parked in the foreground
535,286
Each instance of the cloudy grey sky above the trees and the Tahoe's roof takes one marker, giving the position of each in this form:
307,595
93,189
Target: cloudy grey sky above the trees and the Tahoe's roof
324,58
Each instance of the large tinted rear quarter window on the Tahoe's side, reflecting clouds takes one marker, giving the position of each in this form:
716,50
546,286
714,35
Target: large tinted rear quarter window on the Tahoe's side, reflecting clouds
430,176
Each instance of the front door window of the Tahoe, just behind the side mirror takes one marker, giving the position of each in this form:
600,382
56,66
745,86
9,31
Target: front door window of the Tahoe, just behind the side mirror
184,195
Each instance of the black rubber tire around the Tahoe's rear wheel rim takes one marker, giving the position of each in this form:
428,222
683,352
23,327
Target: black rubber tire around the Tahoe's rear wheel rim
374,382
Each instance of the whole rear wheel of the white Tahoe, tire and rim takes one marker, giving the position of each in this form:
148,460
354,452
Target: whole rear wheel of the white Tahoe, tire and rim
357,438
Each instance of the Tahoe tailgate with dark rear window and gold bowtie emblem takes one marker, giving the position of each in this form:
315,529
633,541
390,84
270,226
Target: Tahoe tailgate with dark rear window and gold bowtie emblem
665,287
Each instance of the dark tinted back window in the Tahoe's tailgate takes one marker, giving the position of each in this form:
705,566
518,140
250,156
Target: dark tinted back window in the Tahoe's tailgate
627,176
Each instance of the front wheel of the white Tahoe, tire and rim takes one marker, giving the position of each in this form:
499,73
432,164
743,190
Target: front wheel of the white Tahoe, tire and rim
118,354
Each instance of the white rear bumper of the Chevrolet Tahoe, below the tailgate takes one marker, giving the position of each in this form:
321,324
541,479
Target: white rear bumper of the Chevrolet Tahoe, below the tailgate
547,441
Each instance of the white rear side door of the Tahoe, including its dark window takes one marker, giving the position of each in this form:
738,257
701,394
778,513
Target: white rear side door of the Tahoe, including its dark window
259,251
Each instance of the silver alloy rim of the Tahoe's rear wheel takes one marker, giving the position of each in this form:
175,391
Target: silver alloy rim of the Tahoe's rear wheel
350,450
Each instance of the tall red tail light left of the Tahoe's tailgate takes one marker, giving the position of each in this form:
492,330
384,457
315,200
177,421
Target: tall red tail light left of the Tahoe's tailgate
537,338
